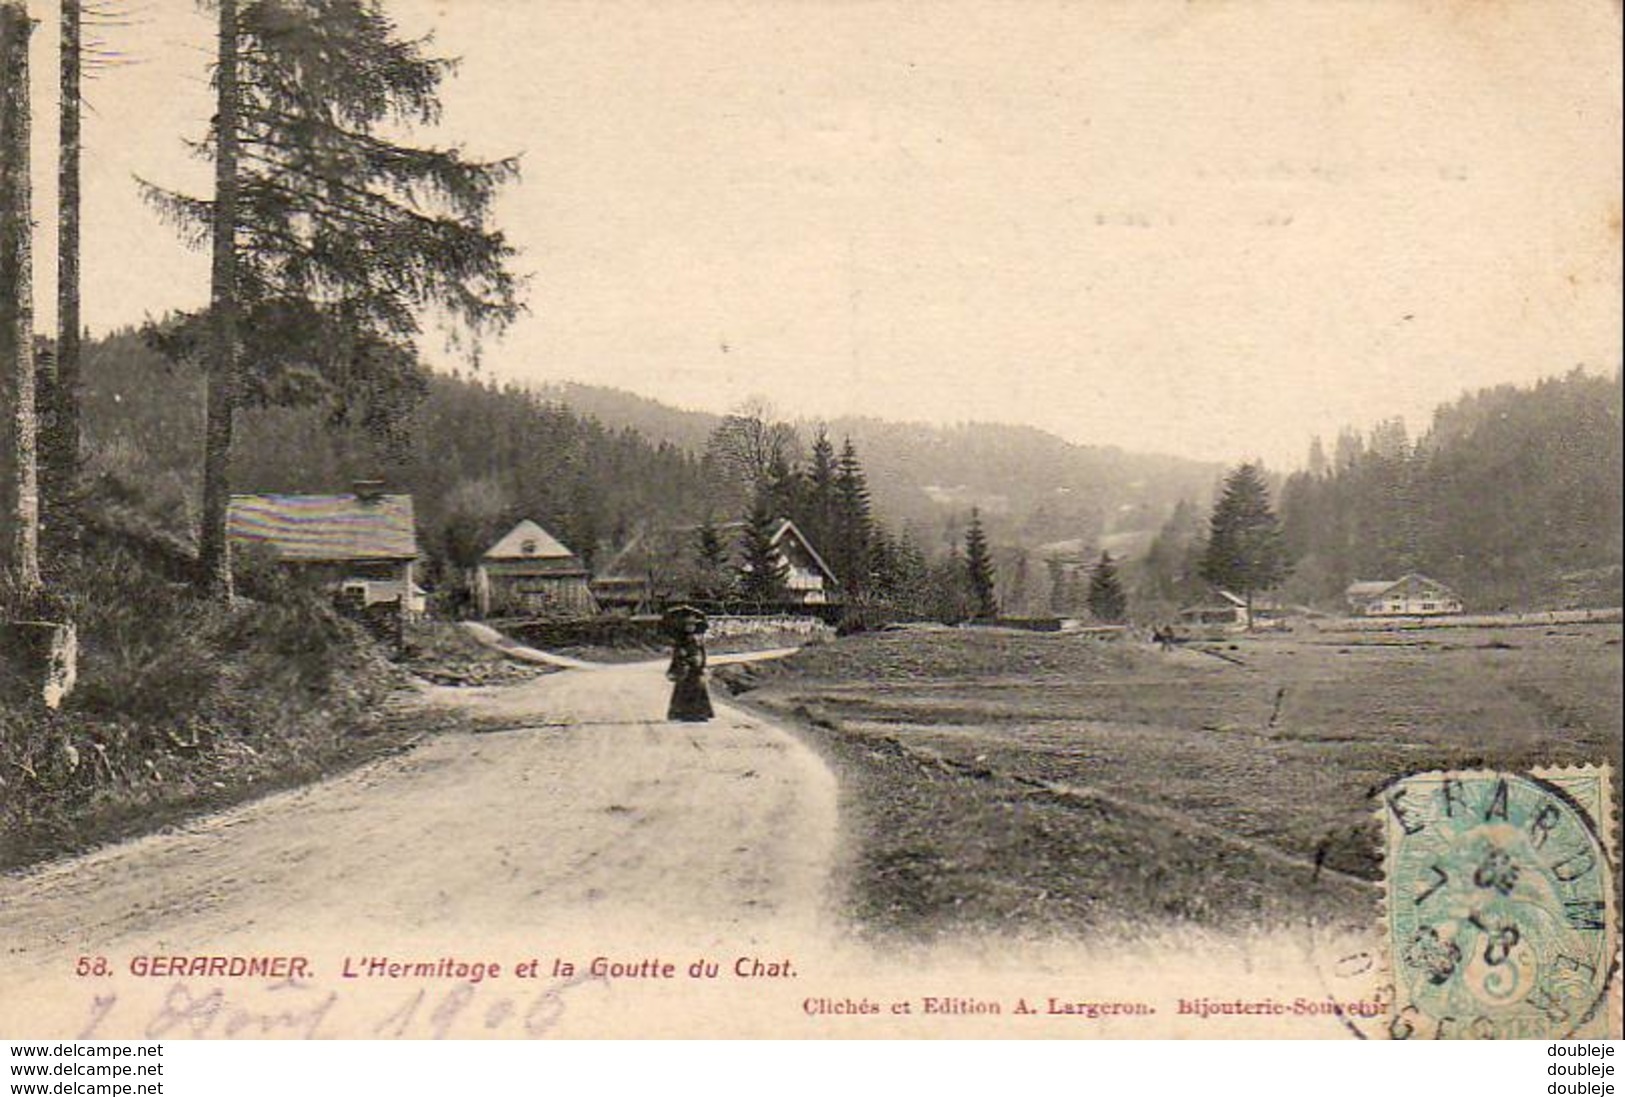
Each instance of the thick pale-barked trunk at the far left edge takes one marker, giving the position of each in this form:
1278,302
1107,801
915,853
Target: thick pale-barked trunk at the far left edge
19,285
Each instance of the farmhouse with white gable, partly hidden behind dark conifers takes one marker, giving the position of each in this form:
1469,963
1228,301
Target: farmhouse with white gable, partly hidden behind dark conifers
664,565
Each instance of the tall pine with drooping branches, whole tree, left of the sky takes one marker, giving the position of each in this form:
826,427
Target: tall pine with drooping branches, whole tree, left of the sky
329,236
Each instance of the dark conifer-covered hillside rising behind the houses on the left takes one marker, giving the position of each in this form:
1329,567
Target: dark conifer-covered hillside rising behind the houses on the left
475,456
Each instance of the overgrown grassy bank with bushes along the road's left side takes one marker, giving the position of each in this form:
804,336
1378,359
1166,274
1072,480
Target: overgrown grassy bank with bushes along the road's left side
188,706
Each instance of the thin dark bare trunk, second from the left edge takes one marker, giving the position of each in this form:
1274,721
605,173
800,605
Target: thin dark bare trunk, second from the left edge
63,449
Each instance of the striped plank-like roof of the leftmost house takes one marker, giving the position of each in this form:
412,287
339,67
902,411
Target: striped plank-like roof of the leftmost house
321,529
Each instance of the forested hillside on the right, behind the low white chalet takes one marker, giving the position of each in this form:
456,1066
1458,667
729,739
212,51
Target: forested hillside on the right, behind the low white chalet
1512,496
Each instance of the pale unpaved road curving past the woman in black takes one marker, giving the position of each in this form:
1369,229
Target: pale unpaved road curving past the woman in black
584,813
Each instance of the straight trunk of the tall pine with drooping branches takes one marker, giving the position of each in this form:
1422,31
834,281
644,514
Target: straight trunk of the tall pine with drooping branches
214,548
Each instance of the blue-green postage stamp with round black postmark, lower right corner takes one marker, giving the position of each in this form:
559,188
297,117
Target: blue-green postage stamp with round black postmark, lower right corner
1499,913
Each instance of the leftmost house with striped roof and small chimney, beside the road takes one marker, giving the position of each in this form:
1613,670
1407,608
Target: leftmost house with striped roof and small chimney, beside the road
362,545
